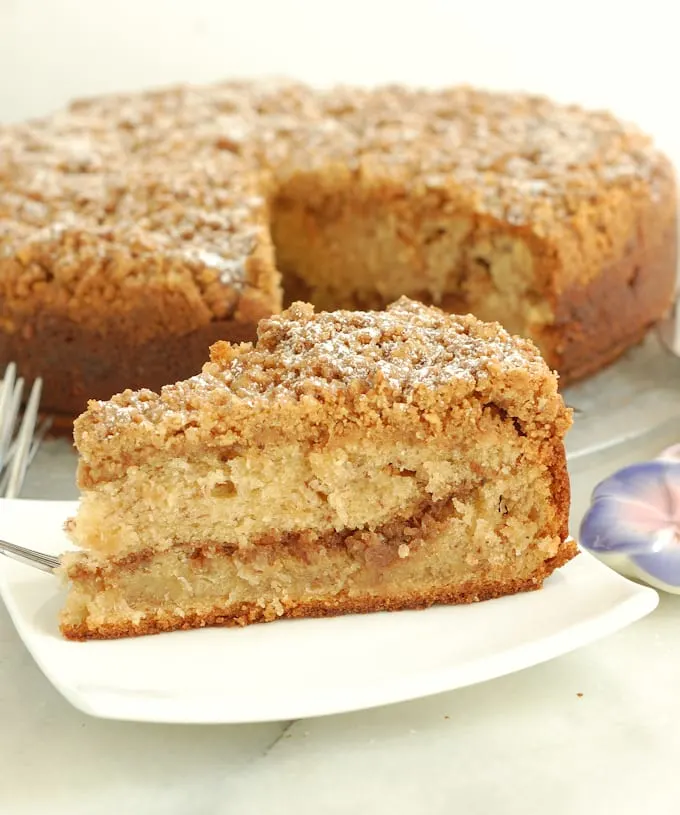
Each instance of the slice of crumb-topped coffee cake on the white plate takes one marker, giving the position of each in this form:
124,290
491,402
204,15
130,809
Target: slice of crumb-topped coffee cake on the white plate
348,462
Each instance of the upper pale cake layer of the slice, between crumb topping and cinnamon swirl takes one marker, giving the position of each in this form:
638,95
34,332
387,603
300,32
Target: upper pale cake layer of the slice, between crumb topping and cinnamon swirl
354,481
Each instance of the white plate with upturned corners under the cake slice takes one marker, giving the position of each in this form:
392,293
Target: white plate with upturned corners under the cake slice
300,668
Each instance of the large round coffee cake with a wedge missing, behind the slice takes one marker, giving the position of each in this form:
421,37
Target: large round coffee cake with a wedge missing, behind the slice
136,230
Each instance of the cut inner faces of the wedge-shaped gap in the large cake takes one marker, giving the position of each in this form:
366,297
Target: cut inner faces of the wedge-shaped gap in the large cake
343,244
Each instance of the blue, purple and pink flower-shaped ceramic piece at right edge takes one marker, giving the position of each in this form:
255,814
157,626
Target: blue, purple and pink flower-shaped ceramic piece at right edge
633,523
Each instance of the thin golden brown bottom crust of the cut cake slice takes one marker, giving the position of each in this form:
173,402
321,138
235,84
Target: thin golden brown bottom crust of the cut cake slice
246,614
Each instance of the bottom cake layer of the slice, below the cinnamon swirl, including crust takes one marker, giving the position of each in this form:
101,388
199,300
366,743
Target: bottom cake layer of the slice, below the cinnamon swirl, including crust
449,552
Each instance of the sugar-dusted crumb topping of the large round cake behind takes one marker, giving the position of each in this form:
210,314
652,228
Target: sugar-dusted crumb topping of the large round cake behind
183,174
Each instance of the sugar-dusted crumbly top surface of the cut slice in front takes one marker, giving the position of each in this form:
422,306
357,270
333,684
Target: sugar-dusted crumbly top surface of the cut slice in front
398,352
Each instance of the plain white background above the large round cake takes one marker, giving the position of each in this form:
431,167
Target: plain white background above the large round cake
621,55
